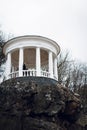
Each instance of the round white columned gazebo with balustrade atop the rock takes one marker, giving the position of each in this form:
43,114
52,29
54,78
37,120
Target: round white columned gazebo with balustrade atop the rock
31,56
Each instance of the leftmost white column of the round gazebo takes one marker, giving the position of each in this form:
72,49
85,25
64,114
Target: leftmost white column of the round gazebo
8,65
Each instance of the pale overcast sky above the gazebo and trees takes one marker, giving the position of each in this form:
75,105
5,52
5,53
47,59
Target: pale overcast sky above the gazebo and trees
64,21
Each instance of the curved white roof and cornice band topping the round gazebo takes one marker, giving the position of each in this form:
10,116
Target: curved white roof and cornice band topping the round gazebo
31,40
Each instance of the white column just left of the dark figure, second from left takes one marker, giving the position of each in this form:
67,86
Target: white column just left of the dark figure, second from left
21,59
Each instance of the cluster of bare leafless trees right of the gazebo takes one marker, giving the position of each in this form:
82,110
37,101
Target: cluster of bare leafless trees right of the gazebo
71,74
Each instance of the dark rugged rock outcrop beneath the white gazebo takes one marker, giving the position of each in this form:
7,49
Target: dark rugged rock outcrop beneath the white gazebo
37,104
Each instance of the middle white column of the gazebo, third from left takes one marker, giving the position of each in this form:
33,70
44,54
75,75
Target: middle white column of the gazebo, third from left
38,62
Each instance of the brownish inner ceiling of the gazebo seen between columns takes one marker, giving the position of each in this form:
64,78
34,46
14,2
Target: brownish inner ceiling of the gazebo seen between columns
30,57
